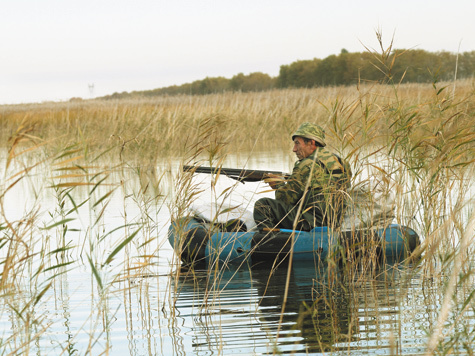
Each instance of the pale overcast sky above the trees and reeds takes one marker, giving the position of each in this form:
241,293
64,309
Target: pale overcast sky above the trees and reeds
53,50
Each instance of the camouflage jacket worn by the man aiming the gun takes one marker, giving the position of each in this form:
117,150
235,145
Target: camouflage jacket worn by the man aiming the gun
322,180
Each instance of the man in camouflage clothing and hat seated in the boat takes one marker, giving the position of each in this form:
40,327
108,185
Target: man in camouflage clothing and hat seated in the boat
314,194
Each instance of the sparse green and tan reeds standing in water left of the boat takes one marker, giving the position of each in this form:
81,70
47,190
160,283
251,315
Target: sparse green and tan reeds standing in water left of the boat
41,250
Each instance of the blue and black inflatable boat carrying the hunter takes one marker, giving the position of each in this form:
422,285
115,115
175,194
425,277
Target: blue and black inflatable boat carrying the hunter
197,242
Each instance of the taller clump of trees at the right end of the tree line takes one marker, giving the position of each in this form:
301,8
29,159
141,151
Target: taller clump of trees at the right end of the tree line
415,66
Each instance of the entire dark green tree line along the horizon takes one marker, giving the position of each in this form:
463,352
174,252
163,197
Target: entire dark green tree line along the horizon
406,66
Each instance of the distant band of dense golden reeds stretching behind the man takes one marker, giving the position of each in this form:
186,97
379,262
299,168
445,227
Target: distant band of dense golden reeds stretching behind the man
146,128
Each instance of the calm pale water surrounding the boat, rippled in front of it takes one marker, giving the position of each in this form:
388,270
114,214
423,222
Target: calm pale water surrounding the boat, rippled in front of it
141,302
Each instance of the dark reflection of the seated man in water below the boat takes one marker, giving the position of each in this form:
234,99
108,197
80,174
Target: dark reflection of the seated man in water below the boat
316,313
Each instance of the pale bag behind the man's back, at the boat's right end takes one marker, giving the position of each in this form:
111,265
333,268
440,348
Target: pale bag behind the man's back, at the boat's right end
370,203
